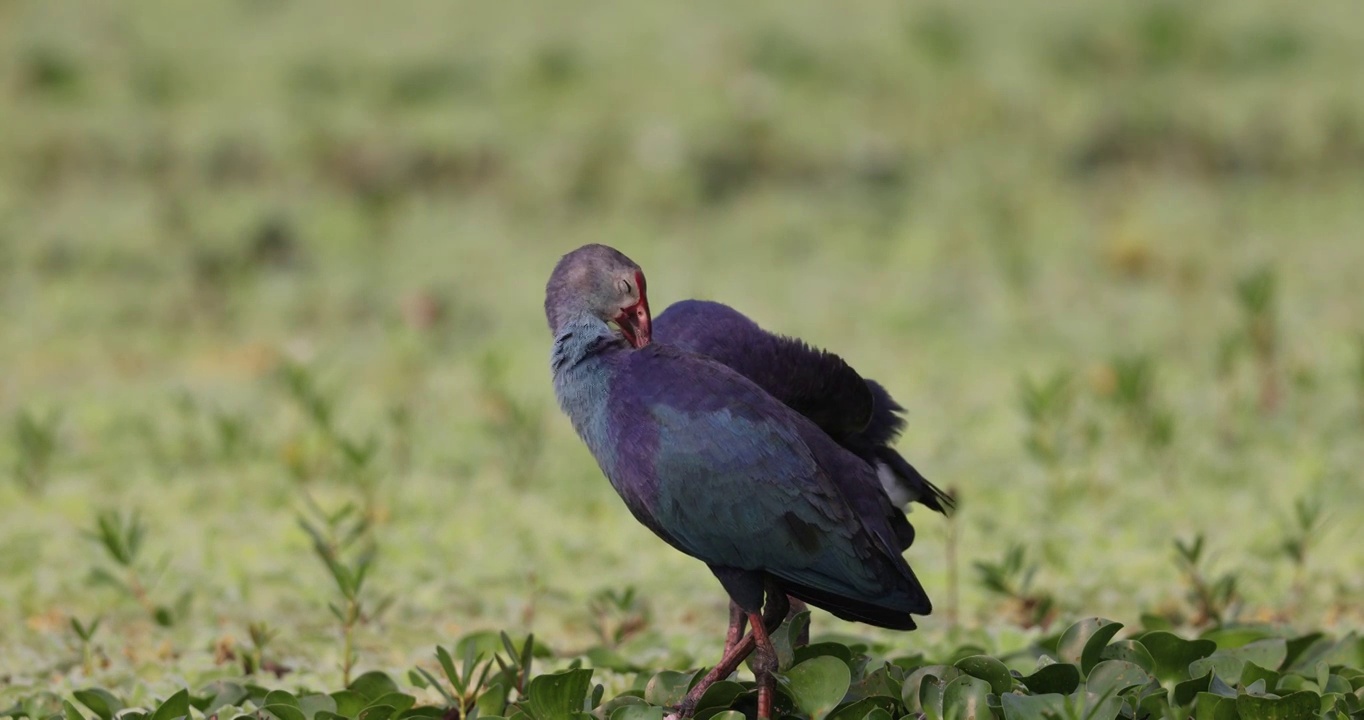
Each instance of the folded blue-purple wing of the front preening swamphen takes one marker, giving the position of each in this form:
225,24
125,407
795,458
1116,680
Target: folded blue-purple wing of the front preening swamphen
729,475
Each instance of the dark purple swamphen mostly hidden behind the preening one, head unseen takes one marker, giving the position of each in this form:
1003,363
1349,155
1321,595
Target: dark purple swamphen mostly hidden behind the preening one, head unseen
857,414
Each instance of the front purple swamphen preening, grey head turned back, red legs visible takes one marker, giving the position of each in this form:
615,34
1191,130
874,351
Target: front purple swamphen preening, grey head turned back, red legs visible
722,471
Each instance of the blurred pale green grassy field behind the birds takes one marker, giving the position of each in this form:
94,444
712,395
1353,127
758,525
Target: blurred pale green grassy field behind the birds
264,256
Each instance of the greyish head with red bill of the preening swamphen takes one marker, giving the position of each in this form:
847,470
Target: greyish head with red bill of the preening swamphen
601,282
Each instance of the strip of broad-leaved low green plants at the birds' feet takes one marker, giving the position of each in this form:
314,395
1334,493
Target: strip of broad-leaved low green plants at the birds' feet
1084,673
